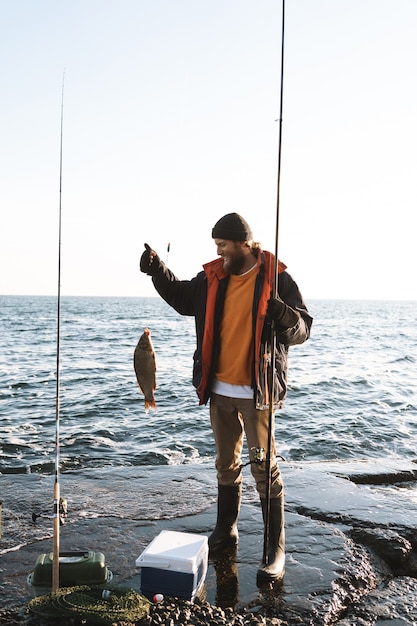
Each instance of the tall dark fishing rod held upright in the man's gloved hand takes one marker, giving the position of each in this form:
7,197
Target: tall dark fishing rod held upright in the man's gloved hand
275,294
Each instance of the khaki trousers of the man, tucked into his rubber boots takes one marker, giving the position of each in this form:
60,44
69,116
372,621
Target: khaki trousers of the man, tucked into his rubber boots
231,418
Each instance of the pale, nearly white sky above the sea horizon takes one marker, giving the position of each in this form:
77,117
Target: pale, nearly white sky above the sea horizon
170,110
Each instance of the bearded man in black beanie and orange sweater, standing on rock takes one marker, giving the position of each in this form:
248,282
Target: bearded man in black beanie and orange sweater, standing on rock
235,317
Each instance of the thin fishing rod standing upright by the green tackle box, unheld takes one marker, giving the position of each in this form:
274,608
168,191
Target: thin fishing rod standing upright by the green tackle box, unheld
55,562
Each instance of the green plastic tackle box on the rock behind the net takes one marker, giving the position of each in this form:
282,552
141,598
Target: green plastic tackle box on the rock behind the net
75,569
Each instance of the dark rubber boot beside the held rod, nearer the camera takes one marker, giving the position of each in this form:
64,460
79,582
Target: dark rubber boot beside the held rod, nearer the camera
274,568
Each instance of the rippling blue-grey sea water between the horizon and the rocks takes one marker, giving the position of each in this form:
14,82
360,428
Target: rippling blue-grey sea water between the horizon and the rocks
352,385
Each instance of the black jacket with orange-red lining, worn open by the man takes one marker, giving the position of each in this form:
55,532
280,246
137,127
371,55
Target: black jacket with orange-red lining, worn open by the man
203,298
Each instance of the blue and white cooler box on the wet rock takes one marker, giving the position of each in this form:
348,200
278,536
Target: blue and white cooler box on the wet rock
174,564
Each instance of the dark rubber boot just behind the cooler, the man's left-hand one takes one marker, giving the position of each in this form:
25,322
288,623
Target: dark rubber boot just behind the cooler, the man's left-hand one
225,534
